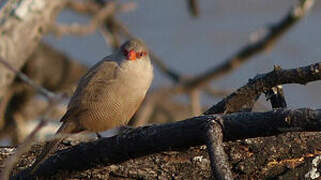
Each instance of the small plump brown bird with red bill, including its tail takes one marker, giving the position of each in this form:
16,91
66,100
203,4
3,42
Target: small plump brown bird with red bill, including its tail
107,96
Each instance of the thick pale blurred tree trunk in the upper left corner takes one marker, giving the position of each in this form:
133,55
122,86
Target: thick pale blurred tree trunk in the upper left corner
22,24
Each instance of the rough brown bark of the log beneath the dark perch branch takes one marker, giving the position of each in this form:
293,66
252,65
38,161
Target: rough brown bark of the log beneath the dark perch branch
287,156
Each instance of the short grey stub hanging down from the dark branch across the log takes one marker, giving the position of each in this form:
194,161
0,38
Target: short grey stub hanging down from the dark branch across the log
214,142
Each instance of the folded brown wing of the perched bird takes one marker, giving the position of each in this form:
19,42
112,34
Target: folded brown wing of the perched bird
91,85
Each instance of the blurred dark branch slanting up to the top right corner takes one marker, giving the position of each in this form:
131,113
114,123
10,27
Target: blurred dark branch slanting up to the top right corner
273,33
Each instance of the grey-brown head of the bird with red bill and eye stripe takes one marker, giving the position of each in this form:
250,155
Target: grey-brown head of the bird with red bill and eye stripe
134,50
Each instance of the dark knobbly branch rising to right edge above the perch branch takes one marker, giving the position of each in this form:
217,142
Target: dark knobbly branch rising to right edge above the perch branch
245,96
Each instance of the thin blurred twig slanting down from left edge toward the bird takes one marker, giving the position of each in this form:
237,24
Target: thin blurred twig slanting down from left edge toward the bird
26,79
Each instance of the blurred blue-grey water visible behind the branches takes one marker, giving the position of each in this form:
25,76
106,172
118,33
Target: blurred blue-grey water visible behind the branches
192,45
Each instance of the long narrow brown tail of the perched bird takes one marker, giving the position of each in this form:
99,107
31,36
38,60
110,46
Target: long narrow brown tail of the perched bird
66,128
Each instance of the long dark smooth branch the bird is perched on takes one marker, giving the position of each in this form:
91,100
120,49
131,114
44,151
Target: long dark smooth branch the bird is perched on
179,135
